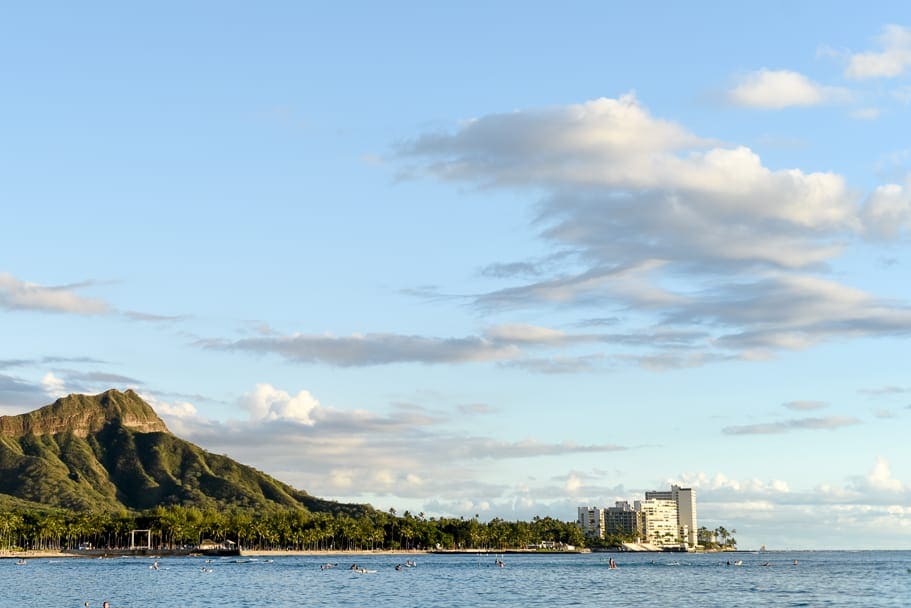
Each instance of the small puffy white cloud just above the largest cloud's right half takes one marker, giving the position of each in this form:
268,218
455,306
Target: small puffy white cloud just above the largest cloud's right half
777,89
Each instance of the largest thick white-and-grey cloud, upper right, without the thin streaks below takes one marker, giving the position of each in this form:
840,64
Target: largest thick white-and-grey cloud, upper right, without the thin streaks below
671,198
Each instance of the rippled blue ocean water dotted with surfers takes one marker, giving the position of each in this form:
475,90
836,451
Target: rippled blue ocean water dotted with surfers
862,579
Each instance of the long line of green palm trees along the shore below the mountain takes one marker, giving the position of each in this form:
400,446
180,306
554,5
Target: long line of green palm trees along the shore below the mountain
176,527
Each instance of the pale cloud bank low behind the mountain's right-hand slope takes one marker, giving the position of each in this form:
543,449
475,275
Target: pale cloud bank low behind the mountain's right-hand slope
410,451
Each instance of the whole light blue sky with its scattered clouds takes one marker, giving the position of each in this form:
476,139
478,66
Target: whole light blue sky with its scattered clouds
497,259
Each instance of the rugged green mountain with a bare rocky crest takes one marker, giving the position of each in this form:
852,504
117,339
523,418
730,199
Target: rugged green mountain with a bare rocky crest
111,452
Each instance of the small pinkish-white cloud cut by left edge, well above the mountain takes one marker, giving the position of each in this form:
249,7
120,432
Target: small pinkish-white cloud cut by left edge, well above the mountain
21,295
